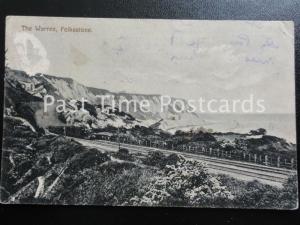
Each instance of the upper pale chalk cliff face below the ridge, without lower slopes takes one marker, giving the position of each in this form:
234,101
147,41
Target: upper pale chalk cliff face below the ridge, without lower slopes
67,88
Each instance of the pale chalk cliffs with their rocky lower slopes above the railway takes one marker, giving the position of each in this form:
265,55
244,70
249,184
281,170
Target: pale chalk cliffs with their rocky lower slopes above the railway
39,85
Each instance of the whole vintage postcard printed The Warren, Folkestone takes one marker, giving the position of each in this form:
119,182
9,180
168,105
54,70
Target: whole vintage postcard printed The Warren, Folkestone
149,112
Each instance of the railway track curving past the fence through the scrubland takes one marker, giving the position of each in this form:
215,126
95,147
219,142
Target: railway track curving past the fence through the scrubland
244,170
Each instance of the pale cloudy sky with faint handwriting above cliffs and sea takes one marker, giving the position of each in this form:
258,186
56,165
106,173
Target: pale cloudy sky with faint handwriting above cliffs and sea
182,58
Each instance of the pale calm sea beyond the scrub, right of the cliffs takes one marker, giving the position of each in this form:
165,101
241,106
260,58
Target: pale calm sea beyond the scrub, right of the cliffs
279,125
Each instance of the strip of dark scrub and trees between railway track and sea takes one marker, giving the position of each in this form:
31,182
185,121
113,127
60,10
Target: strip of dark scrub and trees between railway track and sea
238,146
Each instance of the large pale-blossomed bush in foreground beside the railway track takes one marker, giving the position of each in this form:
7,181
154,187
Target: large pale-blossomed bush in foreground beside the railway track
185,183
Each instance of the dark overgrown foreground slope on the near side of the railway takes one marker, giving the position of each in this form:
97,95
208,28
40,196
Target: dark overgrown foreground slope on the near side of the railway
74,174
